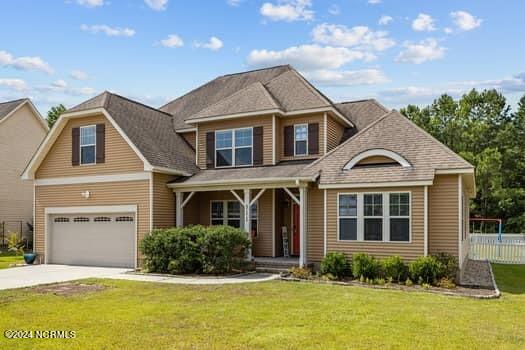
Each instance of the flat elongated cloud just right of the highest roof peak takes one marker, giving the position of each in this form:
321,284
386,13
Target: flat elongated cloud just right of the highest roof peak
347,78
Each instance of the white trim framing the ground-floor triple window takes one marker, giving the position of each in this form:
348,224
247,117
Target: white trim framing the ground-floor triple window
385,217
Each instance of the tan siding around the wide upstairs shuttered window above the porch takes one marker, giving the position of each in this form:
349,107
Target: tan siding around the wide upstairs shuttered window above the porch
264,121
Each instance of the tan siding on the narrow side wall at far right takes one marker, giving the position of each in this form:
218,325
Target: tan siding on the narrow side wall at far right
443,215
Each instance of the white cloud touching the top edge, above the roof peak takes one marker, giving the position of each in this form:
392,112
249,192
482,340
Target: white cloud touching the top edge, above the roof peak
288,10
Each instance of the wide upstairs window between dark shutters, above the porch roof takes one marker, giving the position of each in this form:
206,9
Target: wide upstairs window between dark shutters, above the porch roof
233,147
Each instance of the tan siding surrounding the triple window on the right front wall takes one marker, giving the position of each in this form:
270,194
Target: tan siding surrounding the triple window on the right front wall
408,251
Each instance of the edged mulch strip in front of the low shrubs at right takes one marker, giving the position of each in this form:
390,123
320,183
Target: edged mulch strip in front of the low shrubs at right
477,293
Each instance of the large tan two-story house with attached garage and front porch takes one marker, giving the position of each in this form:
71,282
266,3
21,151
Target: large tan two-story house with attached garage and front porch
261,150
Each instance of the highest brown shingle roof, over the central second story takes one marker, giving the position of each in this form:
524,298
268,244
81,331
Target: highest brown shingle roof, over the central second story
279,88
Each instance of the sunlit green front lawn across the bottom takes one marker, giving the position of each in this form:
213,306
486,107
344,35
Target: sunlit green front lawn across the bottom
268,315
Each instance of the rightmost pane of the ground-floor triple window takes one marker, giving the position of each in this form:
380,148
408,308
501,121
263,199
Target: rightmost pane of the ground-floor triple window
399,217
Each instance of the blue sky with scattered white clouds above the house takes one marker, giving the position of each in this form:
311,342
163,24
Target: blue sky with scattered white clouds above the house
399,52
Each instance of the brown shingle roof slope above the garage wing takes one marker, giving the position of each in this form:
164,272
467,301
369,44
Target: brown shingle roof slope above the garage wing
149,129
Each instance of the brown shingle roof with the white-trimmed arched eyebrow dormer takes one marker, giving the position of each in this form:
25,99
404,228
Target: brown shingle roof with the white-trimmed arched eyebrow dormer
396,133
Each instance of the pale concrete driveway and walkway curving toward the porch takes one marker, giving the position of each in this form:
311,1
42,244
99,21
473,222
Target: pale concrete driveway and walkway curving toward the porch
28,276
